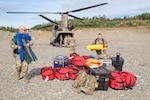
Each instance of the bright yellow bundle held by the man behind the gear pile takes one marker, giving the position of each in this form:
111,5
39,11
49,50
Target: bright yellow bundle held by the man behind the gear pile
95,47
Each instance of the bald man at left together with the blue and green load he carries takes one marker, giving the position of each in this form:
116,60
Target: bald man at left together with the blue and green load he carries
23,54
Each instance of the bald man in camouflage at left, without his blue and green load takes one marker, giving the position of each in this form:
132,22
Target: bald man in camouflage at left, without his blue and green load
21,65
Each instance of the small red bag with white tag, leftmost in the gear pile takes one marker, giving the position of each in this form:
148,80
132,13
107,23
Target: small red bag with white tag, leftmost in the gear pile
47,73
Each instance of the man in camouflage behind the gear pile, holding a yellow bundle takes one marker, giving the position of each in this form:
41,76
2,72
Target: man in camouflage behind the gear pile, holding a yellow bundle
102,41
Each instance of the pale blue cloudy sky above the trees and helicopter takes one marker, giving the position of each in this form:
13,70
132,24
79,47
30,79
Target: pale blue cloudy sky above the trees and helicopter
114,9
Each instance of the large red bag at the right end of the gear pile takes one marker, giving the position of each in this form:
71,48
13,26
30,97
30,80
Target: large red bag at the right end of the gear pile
120,80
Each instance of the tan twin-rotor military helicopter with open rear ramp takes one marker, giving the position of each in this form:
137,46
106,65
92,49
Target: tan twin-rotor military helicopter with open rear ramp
62,30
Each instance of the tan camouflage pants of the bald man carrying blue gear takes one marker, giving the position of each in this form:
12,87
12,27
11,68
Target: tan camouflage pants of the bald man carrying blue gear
21,66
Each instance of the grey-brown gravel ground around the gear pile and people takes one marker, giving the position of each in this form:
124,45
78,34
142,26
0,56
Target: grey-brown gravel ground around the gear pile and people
132,43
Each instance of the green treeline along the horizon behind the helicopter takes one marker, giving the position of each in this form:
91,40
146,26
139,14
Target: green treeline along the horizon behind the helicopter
96,22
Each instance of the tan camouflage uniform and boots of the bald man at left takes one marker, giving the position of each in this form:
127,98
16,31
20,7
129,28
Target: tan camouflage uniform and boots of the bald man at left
21,66
